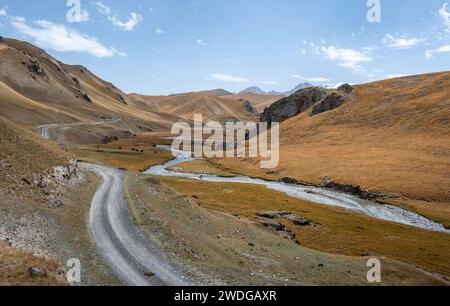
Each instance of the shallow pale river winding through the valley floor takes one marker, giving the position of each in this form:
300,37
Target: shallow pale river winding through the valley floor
313,194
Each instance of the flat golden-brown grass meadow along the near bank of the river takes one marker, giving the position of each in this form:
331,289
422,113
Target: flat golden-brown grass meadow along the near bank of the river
340,231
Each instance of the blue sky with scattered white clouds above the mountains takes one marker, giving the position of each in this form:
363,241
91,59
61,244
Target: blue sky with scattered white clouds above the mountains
167,46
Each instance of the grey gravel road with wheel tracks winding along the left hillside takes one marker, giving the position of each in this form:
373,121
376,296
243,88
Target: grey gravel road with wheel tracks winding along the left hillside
122,245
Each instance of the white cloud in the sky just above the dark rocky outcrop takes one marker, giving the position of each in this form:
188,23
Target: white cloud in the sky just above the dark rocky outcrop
346,58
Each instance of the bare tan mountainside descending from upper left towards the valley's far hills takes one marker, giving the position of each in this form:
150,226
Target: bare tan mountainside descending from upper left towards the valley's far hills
37,89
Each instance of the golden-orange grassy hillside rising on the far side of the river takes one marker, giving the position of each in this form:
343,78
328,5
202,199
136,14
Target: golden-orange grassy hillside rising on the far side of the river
393,137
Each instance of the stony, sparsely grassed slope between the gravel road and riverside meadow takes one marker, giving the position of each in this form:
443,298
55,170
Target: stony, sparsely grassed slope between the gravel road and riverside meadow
221,249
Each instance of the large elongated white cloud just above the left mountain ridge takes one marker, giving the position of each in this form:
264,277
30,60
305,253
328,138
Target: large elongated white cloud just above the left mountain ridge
58,37
